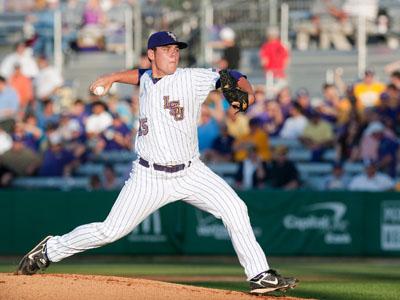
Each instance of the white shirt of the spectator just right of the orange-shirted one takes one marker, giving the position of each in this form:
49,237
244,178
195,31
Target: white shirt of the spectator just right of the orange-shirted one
47,81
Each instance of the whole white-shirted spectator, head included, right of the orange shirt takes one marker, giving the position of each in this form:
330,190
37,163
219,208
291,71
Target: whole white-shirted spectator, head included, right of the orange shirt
48,80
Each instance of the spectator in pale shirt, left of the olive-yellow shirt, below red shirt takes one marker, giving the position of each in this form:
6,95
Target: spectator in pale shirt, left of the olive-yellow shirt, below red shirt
294,126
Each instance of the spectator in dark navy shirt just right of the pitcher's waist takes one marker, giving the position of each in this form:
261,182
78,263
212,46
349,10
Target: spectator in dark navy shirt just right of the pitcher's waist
221,148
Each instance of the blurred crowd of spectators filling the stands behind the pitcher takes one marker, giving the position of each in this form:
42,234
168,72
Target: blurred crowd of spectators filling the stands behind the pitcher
46,132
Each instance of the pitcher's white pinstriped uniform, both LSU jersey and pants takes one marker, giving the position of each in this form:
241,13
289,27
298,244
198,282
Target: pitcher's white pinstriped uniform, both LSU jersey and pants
169,110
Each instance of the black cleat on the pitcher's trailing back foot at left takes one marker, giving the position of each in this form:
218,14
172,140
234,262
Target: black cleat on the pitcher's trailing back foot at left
35,260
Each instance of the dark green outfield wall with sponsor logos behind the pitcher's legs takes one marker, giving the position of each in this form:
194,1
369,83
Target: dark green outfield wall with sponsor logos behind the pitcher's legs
285,223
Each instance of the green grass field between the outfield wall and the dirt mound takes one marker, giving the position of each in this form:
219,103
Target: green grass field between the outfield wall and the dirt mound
319,279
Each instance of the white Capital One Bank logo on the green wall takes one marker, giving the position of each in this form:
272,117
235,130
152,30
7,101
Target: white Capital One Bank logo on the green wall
327,218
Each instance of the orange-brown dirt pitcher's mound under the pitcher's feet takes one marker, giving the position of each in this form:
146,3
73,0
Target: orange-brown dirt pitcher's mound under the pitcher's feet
91,287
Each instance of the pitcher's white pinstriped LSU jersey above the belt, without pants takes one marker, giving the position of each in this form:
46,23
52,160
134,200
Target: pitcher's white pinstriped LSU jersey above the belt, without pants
168,113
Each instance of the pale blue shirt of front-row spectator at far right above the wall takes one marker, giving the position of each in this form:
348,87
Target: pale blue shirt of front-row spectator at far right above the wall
376,183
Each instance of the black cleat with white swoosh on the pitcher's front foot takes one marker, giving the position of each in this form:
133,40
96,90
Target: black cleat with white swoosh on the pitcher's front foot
270,281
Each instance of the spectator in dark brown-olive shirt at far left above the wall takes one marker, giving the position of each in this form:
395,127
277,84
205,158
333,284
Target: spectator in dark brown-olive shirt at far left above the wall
20,160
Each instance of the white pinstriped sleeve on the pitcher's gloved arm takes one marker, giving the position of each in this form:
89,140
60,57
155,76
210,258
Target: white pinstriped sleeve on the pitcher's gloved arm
204,81
